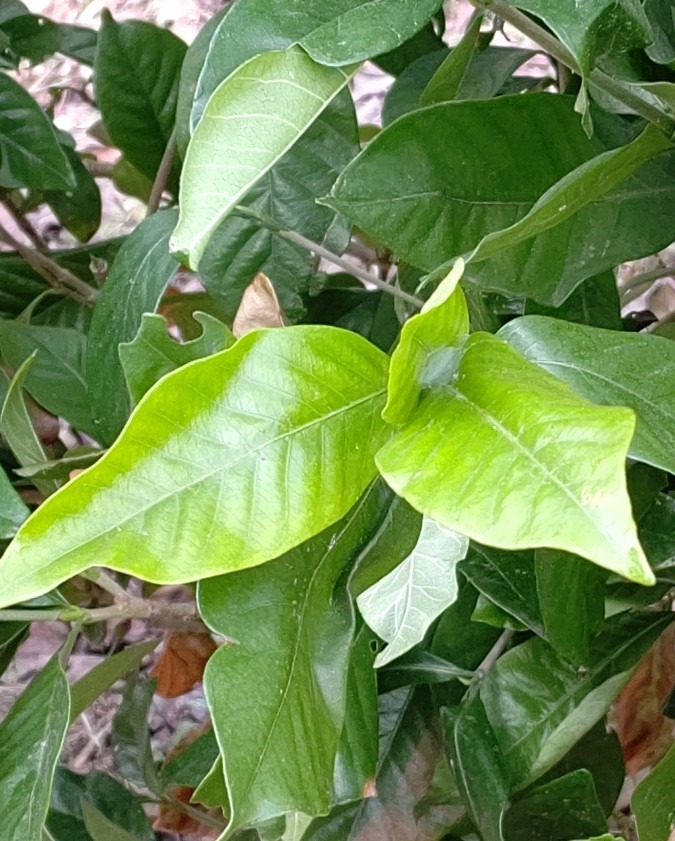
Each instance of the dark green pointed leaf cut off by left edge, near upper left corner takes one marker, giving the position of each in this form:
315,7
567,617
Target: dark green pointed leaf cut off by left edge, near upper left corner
30,153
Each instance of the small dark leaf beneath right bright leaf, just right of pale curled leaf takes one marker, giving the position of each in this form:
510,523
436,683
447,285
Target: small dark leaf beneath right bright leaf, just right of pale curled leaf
507,579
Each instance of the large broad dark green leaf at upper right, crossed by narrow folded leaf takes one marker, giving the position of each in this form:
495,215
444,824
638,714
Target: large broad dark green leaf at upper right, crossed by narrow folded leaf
429,166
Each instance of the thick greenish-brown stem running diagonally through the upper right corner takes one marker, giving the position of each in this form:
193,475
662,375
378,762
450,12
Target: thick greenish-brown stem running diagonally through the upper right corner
560,53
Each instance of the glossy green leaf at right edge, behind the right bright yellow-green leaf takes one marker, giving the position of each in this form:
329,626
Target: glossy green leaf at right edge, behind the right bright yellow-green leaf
609,368
